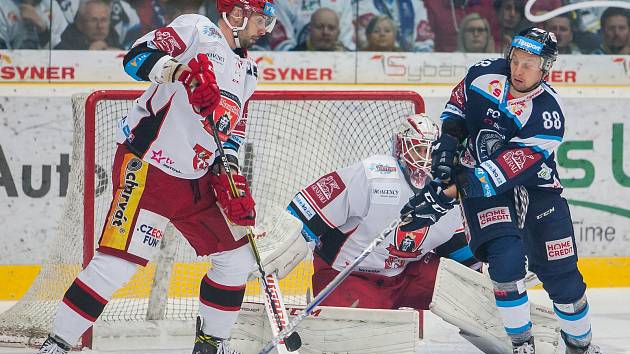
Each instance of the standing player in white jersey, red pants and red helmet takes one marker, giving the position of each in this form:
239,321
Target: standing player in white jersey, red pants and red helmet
163,170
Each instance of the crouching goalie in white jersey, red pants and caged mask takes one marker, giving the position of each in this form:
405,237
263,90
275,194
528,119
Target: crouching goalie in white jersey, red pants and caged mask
343,211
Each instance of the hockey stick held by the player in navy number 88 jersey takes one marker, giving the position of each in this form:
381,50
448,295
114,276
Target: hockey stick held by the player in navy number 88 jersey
330,287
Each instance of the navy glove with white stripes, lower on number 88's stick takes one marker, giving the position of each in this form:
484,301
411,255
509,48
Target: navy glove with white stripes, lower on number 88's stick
425,208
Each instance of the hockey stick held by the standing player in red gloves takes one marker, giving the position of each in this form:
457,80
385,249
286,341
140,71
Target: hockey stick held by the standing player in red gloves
274,303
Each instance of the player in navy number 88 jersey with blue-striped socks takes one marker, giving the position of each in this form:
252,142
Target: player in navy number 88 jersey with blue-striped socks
508,122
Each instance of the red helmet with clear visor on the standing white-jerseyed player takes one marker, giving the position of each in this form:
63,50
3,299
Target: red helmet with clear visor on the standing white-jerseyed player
265,8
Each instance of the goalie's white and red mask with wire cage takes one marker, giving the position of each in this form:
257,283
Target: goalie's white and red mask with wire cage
412,147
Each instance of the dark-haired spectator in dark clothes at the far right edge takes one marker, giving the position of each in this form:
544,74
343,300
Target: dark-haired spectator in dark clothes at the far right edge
616,31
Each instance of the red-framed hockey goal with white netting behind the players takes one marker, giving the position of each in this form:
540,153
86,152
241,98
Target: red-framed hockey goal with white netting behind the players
292,138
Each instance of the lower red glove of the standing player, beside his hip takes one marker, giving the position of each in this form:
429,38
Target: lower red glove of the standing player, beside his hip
239,210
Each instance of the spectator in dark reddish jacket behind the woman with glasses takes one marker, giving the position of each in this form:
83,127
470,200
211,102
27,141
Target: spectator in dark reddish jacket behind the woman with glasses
446,15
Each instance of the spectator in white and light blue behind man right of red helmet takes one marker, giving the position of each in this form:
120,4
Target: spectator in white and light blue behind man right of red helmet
294,16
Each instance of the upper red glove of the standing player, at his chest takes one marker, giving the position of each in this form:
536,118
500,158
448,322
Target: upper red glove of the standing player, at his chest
201,85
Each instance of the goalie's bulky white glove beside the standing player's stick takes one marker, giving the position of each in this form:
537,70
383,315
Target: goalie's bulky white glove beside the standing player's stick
280,243
